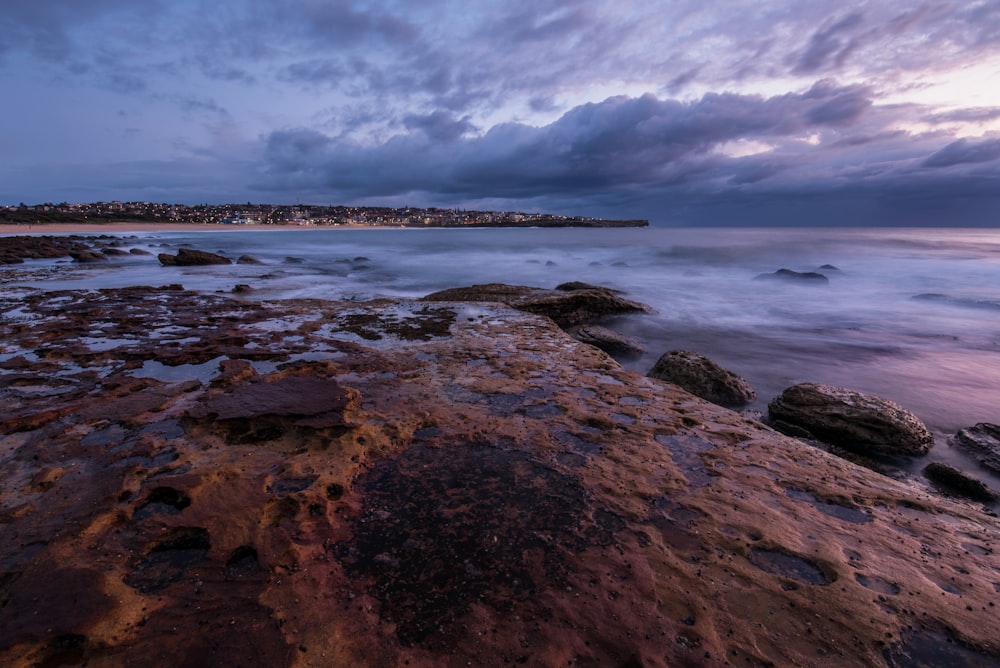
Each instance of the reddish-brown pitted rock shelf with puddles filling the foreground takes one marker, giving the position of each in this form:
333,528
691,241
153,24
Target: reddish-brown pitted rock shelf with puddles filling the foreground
198,478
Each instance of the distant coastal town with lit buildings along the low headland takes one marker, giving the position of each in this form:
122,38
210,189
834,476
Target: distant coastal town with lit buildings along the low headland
299,214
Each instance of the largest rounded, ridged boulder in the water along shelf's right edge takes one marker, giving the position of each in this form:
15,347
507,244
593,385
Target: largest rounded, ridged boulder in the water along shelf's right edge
853,420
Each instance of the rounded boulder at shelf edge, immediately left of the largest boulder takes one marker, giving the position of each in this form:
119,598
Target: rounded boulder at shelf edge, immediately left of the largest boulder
703,378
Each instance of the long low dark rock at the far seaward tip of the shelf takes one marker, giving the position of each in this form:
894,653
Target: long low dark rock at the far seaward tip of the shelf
565,308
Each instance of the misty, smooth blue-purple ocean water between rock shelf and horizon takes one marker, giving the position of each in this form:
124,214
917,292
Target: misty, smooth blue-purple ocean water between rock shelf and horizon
909,314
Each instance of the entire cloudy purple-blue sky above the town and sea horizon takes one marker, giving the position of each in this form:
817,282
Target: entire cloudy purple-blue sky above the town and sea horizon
681,112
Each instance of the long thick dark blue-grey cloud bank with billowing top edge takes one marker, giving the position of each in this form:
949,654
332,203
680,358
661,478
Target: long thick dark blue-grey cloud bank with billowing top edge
619,143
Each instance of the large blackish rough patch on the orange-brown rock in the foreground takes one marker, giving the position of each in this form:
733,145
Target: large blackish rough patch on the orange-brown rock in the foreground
442,528
